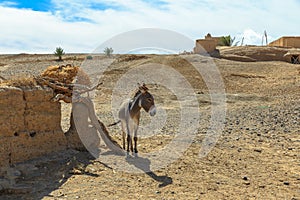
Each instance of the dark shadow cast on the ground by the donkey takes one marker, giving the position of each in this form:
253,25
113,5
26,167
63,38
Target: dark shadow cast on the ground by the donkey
144,165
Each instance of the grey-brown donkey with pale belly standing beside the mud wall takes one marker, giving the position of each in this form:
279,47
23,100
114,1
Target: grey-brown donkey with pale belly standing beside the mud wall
129,115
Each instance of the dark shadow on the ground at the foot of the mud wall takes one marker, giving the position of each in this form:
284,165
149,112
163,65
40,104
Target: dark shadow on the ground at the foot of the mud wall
39,177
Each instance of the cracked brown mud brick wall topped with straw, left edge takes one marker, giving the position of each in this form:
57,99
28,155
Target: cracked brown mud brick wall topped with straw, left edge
29,124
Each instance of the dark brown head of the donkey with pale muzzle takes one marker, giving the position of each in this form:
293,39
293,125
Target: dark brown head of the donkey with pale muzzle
146,100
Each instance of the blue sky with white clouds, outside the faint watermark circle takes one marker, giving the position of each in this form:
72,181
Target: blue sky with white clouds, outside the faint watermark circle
80,26
